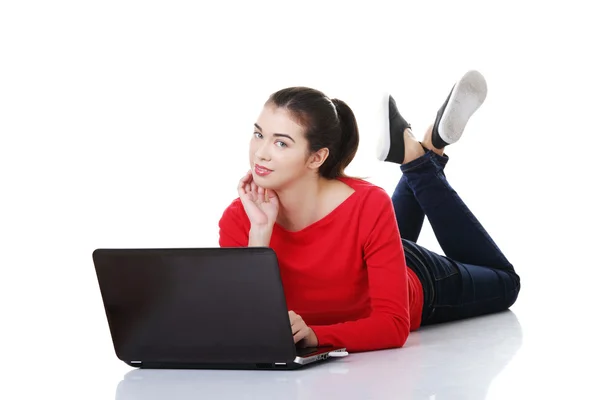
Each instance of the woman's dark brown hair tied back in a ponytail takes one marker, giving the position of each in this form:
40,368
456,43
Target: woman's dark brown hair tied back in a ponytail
327,122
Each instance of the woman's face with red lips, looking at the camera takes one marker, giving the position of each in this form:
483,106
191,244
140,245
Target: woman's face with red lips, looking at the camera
278,149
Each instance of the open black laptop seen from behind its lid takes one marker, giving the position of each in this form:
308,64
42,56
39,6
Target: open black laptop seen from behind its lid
200,308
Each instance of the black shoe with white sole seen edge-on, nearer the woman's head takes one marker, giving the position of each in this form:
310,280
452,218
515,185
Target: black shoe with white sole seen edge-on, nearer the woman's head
390,146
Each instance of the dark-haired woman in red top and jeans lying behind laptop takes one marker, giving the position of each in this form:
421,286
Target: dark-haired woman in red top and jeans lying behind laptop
349,278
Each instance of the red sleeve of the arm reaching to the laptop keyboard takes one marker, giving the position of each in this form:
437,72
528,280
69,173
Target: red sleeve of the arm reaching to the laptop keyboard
388,325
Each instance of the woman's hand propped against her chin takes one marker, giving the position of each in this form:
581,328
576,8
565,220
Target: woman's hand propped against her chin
261,205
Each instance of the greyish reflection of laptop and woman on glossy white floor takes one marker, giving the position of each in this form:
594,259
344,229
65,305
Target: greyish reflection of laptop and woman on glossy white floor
469,360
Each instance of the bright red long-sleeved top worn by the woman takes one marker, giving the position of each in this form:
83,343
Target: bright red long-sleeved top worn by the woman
345,274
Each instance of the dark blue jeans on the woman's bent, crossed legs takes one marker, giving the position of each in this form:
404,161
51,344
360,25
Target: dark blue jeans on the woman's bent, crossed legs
473,277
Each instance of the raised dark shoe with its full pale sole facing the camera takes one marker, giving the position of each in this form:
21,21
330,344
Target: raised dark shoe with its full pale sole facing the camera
466,96
